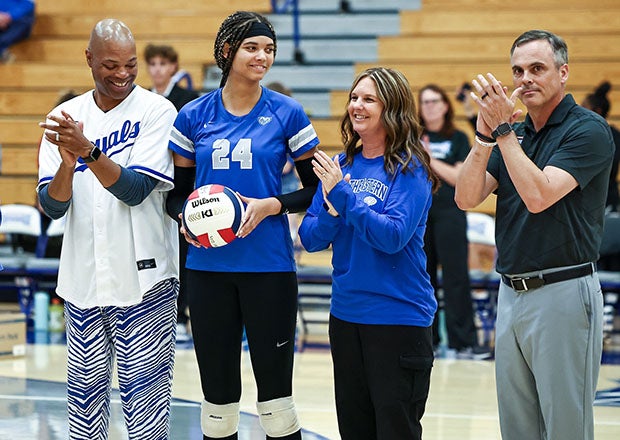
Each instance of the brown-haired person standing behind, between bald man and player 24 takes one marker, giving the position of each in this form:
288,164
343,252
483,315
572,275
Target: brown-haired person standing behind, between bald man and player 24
163,66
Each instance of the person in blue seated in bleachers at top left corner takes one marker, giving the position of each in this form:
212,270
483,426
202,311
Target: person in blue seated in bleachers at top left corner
16,21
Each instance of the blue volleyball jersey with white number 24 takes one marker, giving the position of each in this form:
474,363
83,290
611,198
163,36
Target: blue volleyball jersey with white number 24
247,154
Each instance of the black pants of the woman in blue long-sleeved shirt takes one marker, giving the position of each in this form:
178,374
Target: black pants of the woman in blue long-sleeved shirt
382,378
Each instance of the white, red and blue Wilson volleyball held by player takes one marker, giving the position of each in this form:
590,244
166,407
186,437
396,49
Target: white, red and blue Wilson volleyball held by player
212,215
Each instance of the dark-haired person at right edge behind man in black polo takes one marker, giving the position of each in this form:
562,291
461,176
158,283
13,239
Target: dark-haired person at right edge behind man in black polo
597,102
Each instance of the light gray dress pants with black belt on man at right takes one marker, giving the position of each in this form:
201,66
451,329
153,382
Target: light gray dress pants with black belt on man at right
548,351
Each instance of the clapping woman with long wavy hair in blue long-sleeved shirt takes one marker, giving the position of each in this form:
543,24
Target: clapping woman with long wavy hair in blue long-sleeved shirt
371,207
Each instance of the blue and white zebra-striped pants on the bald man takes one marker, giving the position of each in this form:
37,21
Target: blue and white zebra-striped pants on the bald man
142,339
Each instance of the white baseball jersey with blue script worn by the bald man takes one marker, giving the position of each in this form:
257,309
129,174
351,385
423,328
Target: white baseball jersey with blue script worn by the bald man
113,253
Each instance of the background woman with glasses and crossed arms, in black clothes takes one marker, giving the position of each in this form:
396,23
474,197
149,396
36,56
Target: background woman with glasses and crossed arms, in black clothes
445,240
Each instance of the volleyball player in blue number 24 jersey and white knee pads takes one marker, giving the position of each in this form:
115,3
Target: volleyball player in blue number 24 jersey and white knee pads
239,136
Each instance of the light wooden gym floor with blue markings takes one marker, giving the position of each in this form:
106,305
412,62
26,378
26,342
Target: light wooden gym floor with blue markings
461,405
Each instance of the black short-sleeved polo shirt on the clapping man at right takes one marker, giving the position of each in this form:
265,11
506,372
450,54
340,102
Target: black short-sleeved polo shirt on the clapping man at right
569,232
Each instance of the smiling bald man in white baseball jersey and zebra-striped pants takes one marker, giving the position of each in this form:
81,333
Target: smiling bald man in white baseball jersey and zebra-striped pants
105,163
